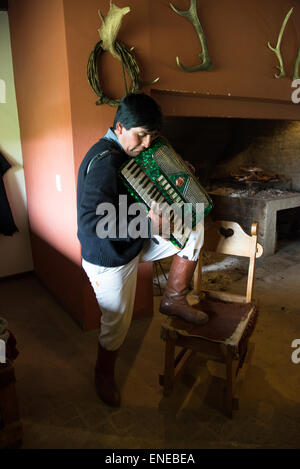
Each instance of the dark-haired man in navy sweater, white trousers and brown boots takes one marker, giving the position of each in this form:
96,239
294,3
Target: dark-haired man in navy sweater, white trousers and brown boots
111,261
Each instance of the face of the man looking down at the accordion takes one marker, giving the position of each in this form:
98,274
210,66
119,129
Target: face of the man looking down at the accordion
134,140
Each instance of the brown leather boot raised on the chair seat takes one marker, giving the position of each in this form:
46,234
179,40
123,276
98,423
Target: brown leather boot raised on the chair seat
174,301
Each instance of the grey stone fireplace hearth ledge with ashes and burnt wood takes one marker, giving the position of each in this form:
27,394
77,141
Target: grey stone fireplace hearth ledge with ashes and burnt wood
251,194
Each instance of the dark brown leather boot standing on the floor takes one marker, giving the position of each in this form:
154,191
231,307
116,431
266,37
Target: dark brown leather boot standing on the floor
105,377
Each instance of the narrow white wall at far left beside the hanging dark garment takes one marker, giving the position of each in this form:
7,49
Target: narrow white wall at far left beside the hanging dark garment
15,251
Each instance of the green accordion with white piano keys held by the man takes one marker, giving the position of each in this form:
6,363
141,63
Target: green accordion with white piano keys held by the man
159,174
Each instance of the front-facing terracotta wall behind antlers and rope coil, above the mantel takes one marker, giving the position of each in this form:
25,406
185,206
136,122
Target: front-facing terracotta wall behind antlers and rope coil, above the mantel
241,82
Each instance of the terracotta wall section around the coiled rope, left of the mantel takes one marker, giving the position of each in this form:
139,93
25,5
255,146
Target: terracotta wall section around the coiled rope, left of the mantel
89,121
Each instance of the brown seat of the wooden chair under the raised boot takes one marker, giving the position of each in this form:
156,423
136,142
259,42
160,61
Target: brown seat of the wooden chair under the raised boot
229,324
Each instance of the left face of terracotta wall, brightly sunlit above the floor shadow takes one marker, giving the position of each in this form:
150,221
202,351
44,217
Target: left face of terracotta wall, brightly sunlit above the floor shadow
41,76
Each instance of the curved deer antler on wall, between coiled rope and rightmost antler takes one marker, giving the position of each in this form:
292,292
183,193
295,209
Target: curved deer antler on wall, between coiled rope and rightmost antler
191,15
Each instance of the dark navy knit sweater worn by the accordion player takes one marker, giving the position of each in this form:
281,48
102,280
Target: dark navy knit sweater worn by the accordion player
102,184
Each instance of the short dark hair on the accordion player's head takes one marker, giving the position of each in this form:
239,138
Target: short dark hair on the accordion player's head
139,110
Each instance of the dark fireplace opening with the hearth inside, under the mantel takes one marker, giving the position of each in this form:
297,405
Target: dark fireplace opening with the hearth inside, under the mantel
250,168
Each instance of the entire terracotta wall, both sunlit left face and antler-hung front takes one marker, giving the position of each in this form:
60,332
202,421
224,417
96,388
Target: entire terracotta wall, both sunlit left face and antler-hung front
59,121
